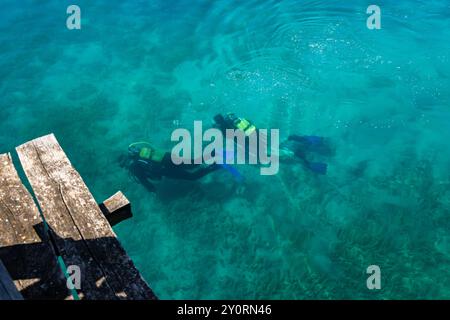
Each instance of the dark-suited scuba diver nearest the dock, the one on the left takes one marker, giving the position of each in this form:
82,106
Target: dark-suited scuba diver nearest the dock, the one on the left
146,163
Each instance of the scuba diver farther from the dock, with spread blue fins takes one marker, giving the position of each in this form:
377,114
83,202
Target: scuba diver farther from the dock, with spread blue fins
295,148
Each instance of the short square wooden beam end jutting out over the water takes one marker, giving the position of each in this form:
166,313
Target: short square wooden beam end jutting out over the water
116,208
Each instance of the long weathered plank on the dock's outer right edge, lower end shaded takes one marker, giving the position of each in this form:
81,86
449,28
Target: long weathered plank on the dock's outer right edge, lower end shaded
84,236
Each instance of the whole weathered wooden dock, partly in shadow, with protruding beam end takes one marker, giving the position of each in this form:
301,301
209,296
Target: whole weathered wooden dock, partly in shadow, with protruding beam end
61,226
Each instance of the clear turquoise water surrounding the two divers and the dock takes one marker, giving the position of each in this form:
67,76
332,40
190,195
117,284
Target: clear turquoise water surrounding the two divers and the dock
139,69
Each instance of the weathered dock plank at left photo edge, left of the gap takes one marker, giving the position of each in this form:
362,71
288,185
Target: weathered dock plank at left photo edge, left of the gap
29,259
